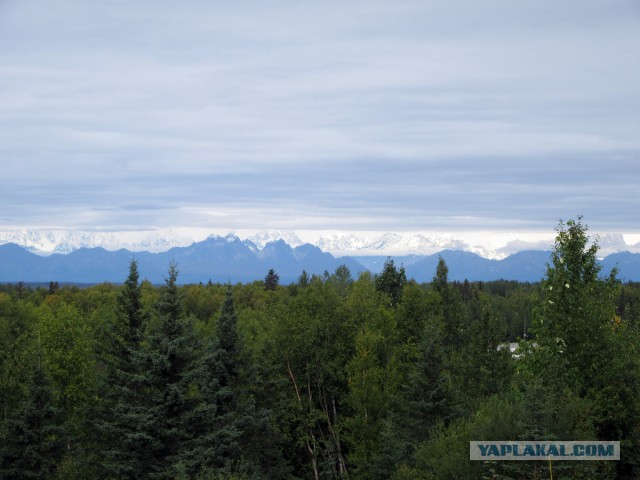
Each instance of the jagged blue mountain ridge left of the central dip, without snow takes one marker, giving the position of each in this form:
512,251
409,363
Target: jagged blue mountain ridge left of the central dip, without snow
219,259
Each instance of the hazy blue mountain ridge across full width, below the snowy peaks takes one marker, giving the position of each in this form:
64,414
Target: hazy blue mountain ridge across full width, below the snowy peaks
223,259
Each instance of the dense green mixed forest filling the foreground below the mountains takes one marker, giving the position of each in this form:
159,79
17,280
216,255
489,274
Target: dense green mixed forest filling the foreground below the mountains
375,377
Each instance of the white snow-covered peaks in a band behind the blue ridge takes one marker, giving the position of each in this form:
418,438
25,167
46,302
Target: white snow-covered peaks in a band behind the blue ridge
491,246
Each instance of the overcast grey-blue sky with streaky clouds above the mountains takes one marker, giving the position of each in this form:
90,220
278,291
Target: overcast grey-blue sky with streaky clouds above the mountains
396,115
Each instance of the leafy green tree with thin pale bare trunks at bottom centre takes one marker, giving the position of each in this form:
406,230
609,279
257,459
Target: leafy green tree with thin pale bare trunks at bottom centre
309,348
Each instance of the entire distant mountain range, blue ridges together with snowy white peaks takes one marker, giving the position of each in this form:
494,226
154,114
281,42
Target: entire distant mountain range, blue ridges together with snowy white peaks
231,259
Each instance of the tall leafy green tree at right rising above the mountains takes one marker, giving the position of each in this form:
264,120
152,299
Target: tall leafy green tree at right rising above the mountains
574,323
